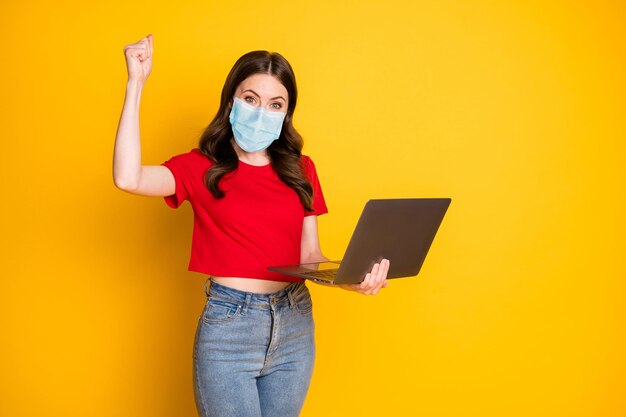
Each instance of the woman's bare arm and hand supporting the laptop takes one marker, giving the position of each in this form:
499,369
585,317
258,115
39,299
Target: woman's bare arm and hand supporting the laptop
311,252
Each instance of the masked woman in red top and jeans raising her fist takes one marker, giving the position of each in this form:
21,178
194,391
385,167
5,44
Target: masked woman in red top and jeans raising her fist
255,201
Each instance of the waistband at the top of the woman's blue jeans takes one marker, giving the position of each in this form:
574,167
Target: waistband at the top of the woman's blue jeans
284,296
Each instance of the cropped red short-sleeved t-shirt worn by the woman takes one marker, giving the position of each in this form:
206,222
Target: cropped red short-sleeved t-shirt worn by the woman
257,224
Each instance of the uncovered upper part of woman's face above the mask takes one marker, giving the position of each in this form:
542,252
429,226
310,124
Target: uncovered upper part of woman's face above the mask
263,90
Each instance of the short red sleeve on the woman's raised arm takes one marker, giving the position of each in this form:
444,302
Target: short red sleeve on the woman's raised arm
184,167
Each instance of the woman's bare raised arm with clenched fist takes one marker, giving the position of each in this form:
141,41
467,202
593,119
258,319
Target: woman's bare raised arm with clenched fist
128,173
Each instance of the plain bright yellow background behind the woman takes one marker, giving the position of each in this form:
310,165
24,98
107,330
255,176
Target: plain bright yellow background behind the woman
513,109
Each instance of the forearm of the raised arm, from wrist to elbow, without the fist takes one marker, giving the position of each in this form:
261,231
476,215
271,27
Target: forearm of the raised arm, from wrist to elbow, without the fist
127,150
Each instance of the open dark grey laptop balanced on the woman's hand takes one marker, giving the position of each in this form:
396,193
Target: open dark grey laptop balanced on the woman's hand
401,230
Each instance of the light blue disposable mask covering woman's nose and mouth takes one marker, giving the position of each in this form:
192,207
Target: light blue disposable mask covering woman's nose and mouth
254,128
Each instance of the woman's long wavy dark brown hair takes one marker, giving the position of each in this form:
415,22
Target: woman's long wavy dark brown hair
284,152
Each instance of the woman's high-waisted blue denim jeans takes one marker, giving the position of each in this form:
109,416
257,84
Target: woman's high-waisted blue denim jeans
253,353
